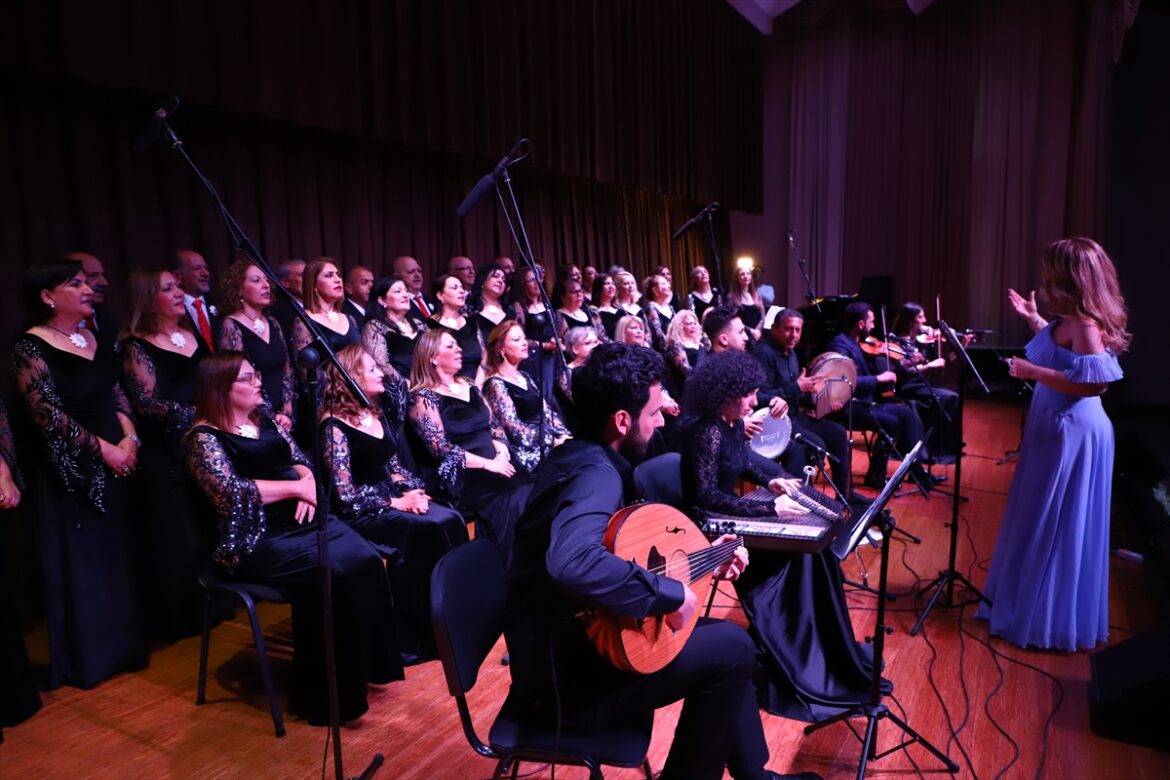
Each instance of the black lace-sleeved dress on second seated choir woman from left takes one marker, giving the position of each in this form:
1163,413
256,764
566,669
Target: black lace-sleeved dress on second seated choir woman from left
367,474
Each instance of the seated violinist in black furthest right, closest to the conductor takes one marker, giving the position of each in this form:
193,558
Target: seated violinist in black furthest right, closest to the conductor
928,399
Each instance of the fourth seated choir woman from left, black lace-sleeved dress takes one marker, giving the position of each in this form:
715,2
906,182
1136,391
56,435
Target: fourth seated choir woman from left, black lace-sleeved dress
532,425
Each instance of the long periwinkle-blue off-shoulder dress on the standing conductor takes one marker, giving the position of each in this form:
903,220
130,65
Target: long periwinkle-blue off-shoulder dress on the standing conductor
1050,576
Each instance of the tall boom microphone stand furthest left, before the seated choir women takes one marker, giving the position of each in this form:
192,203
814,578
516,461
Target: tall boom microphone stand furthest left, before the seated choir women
314,353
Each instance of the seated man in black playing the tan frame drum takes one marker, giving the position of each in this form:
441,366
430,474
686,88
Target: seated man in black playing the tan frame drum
784,378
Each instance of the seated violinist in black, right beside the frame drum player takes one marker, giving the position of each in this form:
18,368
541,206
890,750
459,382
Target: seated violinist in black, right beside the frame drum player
900,423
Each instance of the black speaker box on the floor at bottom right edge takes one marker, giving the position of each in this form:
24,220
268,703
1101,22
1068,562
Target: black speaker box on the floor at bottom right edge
1131,691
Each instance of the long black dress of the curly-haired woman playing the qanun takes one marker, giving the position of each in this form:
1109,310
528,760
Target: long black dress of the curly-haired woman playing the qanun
810,665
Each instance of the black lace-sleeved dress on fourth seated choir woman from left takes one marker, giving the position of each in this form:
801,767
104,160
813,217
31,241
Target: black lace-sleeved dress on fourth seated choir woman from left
519,411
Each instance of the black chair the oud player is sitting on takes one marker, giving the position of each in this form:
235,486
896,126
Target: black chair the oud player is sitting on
469,600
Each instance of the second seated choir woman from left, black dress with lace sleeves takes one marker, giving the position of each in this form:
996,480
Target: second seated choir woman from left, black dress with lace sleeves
380,499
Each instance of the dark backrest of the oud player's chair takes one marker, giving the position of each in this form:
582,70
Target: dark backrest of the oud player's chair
469,599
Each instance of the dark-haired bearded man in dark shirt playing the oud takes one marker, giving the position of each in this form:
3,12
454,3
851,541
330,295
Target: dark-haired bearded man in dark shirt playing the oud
561,568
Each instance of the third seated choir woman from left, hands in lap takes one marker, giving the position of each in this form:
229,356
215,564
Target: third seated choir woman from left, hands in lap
462,451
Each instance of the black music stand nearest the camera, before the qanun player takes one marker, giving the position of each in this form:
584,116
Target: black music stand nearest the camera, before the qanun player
875,713
